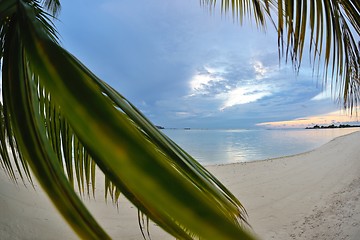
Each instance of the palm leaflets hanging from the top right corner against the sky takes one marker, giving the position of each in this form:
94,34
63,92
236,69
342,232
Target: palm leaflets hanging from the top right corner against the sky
331,29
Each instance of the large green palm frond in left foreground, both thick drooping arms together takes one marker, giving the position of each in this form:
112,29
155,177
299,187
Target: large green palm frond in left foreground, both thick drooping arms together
60,114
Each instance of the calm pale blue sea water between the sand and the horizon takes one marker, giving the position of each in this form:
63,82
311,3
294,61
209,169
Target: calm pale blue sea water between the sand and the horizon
231,146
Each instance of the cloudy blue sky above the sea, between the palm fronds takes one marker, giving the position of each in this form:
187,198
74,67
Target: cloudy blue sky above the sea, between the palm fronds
185,66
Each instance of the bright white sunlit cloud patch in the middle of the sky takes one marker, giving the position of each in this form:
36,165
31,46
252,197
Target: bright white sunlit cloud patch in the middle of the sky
218,84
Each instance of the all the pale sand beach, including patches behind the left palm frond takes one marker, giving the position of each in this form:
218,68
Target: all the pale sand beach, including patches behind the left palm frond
314,195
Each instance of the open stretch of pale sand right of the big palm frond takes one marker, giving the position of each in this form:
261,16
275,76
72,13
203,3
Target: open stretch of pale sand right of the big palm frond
289,197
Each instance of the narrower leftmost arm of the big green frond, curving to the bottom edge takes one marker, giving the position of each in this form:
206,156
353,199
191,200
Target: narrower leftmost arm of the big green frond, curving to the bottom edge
28,129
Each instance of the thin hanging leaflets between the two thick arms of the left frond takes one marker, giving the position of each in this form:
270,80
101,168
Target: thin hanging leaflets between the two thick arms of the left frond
72,156
